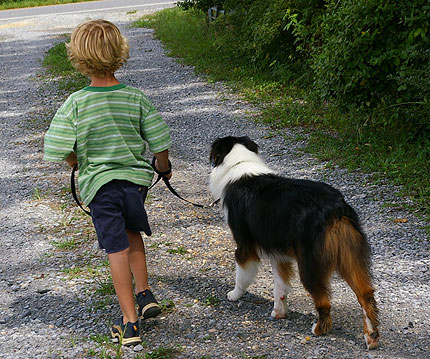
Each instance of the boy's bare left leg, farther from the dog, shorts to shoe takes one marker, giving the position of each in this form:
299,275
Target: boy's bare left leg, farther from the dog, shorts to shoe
122,281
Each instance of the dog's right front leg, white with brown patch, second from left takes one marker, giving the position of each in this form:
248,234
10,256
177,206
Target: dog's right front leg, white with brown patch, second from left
282,273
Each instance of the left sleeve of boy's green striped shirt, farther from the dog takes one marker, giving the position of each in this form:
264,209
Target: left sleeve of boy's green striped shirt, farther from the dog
60,139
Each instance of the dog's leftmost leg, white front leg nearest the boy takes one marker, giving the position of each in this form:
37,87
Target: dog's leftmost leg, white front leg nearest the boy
247,262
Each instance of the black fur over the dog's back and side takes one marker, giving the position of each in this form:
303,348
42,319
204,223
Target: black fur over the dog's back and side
278,213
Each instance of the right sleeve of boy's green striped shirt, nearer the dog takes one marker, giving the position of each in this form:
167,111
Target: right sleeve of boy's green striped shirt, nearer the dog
155,131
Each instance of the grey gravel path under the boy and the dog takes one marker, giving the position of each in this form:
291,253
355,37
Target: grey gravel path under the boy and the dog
56,298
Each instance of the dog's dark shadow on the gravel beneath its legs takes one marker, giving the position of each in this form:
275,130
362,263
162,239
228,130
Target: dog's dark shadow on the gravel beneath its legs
256,308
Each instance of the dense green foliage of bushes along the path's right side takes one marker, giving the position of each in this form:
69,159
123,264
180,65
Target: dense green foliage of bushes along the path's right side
371,55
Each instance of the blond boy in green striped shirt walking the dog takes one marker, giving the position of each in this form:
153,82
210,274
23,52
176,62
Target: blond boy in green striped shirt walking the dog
104,128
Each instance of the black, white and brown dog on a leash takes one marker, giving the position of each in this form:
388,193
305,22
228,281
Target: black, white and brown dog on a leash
285,219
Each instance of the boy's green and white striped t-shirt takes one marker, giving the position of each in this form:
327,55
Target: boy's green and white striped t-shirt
108,128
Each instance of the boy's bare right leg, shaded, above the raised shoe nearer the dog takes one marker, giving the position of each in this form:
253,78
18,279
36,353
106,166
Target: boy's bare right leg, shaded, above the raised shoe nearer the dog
138,261
